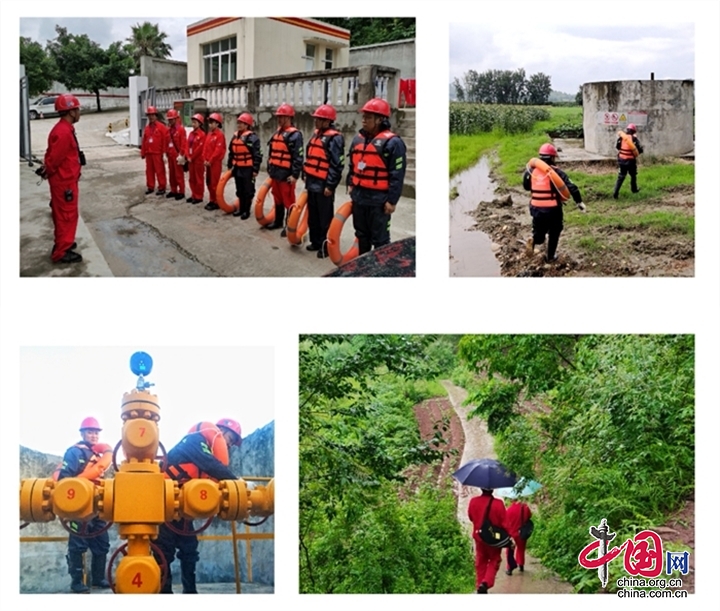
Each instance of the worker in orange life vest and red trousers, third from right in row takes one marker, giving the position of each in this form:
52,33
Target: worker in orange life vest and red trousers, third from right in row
285,163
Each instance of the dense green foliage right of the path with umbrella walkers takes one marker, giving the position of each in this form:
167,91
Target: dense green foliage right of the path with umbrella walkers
606,423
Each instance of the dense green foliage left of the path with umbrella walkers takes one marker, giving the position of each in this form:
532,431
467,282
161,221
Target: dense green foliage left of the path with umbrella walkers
360,531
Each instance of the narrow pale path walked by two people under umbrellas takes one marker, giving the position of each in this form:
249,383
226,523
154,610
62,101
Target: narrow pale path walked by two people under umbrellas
479,444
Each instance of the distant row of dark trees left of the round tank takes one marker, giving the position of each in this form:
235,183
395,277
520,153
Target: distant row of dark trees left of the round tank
503,87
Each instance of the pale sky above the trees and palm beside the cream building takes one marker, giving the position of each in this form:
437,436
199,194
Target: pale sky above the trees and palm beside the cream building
106,30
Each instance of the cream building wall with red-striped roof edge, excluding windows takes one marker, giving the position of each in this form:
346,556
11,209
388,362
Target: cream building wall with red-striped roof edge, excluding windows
267,46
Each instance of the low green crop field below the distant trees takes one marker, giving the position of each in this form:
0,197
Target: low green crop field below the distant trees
477,118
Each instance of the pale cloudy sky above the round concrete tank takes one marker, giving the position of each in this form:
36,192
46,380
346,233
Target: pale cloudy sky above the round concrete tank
572,54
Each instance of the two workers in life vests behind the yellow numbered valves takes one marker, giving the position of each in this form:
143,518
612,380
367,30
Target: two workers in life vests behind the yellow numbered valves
202,453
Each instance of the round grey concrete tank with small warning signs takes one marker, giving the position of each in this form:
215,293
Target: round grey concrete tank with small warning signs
662,111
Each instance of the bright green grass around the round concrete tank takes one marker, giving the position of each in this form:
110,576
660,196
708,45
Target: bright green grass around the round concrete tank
650,210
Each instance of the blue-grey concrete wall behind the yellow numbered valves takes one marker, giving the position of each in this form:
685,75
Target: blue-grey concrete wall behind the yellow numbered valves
43,567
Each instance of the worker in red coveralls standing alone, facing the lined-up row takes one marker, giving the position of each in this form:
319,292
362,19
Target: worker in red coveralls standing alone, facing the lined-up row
61,167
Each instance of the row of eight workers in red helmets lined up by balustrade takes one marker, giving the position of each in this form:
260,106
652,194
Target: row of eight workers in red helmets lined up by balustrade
376,167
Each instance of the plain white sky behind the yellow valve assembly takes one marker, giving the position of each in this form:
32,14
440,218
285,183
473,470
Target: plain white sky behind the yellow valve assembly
59,387
